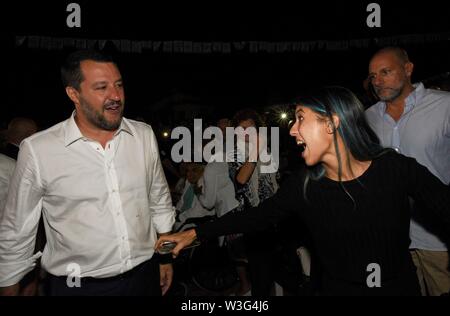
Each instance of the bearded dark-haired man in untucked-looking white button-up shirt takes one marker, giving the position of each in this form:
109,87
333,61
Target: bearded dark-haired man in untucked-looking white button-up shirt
98,181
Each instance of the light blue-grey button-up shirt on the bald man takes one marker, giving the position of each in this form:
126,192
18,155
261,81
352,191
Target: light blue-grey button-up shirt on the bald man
423,133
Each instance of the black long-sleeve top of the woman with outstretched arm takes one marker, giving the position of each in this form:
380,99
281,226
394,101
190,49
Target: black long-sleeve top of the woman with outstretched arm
348,236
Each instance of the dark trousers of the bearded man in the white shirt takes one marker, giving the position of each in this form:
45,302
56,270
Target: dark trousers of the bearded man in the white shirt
143,280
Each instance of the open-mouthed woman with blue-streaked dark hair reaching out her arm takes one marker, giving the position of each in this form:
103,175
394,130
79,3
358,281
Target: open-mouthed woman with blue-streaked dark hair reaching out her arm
352,195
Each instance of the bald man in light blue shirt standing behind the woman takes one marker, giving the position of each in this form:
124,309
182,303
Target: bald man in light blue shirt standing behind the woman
415,122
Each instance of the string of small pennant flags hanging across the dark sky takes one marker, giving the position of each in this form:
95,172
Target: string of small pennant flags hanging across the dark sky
218,47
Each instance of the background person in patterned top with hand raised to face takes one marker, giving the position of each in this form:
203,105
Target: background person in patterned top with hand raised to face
252,187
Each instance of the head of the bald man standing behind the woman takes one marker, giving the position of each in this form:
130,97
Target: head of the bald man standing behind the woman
389,75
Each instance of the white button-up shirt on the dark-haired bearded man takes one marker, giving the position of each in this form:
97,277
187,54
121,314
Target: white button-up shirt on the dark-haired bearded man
102,207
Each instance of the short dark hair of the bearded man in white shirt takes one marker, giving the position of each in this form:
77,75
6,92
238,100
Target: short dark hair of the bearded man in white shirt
71,74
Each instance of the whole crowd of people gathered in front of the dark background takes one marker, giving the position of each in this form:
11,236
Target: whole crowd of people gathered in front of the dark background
85,205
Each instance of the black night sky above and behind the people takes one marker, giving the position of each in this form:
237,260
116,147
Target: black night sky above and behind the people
223,82
